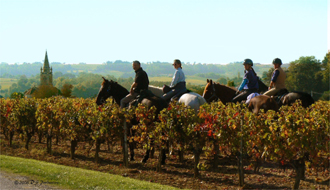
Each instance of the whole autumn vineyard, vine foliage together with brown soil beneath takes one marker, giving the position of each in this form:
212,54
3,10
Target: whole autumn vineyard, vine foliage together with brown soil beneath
210,142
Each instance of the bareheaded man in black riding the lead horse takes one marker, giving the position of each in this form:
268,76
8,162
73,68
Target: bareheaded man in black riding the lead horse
141,82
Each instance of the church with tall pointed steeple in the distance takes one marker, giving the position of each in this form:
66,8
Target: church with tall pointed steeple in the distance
46,79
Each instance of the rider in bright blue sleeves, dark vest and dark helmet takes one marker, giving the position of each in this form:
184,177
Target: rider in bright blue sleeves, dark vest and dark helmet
249,84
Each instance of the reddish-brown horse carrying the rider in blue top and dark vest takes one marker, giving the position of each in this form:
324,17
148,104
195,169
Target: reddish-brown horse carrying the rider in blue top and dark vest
215,91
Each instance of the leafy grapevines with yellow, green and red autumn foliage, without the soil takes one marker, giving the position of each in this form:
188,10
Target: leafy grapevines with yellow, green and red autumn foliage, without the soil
294,137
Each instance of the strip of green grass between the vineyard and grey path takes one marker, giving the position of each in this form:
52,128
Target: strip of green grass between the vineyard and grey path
73,178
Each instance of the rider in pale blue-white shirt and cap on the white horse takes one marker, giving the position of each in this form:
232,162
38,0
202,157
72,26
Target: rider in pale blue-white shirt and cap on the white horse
178,84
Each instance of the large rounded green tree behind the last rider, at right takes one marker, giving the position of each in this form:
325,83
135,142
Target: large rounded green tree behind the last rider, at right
303,75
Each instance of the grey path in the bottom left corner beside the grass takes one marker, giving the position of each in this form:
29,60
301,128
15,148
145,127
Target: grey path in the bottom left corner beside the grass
16,181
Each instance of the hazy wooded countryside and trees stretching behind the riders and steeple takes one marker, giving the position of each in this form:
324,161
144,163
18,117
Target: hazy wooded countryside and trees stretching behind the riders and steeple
305,74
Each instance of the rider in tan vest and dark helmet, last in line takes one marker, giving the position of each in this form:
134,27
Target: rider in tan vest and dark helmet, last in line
278,79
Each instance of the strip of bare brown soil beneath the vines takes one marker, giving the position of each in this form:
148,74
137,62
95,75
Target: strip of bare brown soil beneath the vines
174,173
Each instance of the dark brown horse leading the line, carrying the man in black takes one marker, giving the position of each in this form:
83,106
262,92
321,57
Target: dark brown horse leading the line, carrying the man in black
118,92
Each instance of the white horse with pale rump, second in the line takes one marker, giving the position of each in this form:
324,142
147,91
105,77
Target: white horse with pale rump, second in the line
191,99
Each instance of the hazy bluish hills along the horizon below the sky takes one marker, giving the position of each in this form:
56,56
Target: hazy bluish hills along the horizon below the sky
124,69
